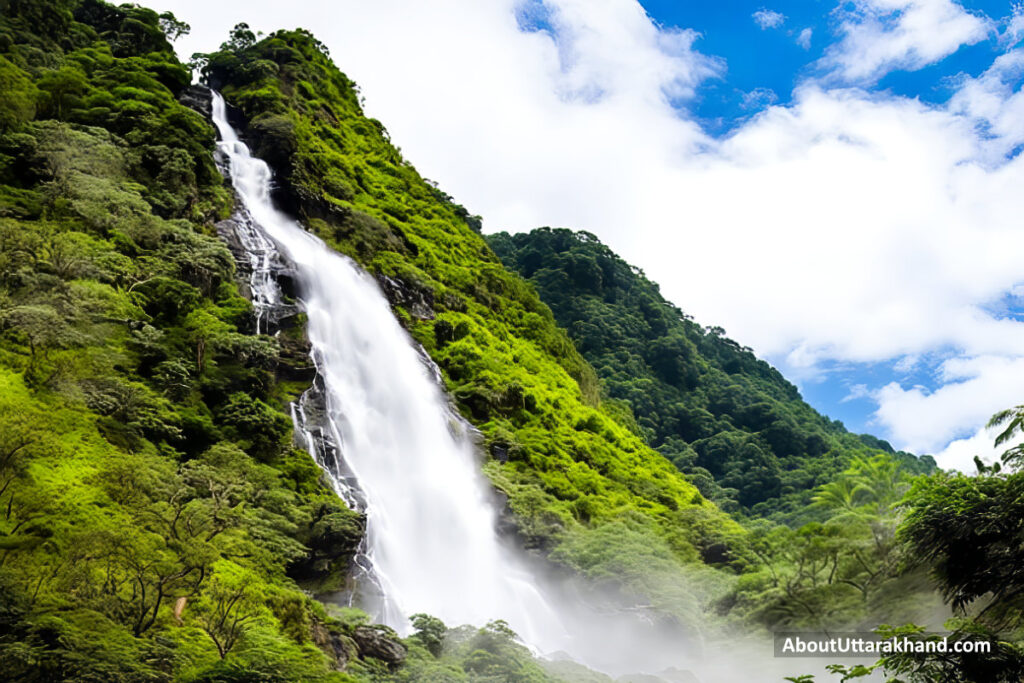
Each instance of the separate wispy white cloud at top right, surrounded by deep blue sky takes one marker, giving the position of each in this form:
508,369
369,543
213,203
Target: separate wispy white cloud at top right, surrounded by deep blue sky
879,36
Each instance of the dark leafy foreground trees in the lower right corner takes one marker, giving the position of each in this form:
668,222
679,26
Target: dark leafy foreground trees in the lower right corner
966,532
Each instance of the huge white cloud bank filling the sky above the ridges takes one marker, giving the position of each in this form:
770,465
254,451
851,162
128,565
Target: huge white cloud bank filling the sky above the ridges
847,226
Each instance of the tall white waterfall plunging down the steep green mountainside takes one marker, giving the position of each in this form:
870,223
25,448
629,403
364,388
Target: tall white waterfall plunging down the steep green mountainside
403,457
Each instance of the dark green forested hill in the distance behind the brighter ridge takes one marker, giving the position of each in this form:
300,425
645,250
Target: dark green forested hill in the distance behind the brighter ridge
732,422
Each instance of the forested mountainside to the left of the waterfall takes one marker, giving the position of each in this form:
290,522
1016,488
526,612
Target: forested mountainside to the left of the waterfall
151,504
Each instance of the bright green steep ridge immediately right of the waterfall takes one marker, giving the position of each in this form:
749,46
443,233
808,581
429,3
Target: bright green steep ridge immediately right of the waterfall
569,468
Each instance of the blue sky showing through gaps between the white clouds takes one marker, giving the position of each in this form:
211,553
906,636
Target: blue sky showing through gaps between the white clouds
767,51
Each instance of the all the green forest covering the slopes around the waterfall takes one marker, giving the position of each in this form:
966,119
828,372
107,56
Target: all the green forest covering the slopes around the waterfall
159,523
